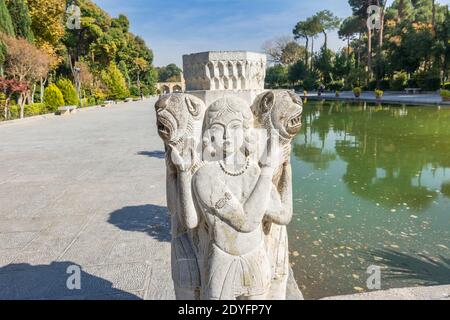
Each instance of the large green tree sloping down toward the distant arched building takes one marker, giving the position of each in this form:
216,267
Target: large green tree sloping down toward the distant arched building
103,40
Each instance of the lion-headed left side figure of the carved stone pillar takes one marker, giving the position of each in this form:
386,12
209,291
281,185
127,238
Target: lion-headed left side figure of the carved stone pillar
179,124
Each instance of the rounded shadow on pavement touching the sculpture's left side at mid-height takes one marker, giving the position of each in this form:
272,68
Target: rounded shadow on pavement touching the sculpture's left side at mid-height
151,219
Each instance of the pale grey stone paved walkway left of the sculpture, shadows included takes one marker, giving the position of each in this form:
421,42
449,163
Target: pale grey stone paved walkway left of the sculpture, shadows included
88,190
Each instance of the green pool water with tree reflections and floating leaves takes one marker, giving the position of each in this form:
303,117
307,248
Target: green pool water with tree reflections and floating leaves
371,187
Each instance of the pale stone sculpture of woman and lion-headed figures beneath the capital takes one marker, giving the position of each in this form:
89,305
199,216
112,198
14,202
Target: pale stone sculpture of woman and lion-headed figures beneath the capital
229,190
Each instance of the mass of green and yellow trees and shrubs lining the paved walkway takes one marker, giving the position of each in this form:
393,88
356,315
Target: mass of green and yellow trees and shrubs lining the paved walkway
103,56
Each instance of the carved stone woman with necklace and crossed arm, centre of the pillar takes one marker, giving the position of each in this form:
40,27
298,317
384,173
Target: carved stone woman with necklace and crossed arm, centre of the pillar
233,194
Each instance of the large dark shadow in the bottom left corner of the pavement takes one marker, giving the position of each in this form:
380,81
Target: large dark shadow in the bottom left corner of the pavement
49,282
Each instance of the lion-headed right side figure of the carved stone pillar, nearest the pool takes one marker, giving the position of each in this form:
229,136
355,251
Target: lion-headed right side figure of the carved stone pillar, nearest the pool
279,112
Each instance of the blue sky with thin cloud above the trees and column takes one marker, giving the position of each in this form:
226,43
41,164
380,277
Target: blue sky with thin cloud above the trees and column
177,27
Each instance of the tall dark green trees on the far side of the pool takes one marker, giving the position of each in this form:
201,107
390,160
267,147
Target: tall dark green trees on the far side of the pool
414,40
